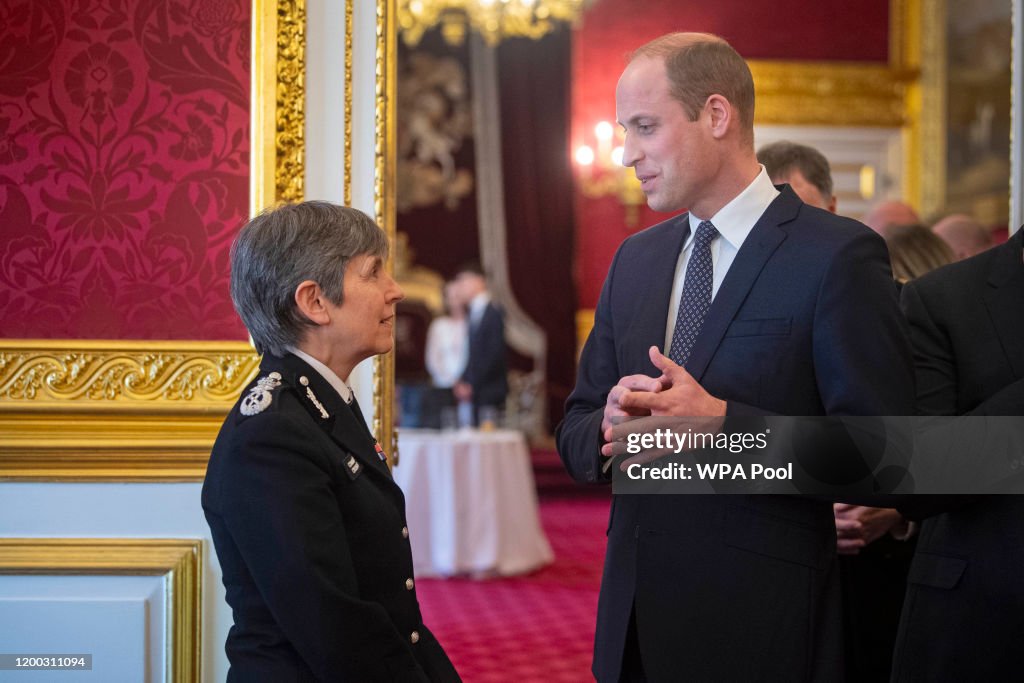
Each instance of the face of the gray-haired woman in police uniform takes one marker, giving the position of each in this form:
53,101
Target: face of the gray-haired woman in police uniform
363,326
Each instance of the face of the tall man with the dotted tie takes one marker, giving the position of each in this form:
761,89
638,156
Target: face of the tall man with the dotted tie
672,156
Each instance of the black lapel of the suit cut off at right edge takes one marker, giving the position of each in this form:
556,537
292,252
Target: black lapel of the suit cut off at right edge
1005,293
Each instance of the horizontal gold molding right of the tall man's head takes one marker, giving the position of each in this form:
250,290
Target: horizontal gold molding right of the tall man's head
830,94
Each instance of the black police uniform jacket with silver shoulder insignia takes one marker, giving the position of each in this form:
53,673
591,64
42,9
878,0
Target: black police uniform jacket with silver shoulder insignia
312,537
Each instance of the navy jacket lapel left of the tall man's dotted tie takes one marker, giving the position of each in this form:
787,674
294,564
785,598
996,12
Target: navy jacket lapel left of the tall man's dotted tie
649,325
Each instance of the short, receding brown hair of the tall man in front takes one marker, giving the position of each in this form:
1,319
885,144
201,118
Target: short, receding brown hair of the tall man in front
702,65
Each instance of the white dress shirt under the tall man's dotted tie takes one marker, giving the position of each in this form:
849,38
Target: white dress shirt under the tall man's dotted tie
735,222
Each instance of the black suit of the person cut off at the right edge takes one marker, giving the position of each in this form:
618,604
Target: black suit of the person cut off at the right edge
964,613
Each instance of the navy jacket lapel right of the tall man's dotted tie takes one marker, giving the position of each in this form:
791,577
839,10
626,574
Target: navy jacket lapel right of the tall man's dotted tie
757,249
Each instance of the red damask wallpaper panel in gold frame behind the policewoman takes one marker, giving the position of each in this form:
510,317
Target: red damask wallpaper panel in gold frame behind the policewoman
124,166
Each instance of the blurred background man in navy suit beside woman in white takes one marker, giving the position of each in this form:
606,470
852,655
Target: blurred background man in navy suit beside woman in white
485,382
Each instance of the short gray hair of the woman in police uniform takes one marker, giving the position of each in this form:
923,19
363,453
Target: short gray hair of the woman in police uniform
284,246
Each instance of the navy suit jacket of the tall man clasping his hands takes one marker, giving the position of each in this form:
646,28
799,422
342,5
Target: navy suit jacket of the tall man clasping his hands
806,323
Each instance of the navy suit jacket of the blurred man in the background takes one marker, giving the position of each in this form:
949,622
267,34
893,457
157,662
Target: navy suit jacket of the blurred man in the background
487,368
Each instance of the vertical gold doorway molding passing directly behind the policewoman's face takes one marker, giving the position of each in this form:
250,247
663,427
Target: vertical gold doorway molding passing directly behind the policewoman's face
386,150
